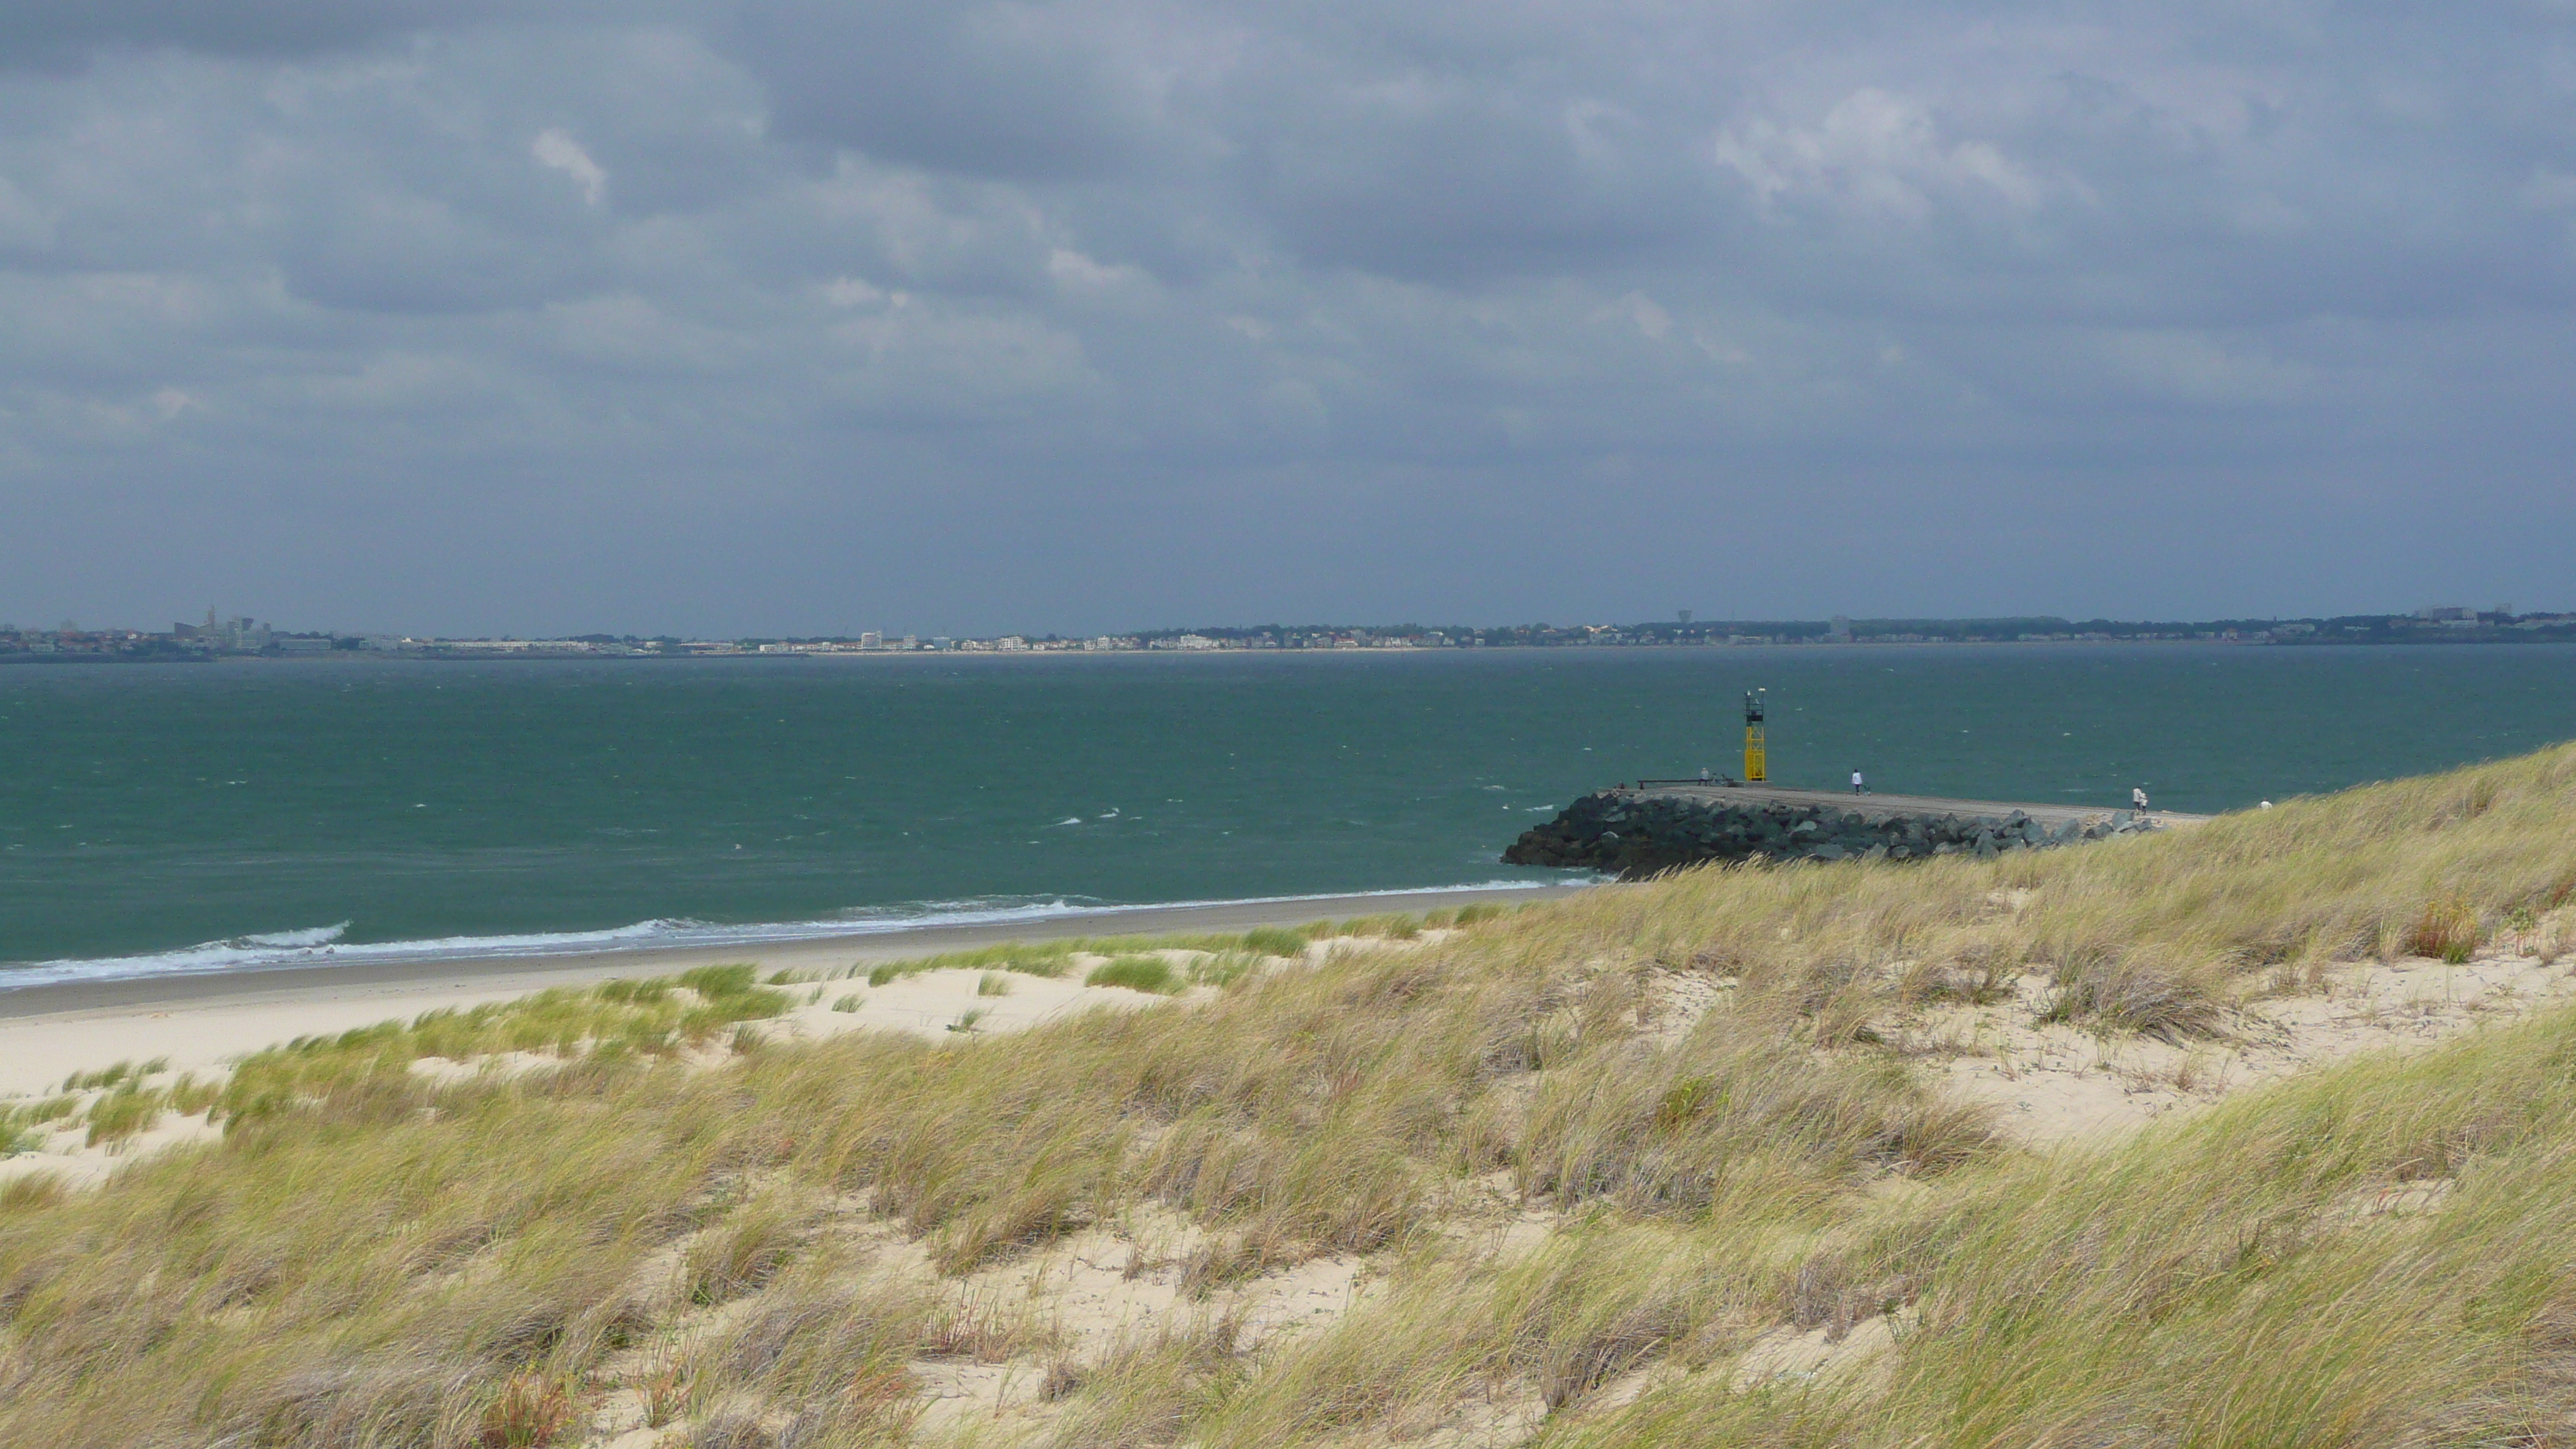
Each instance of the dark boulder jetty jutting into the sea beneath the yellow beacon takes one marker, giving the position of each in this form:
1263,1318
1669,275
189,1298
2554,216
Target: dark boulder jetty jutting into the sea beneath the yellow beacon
1640,834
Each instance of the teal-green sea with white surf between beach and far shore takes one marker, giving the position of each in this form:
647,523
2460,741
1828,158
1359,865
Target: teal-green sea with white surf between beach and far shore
213,816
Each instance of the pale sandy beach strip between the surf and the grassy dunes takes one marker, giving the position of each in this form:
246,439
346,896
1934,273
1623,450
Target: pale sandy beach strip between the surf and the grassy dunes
205,1020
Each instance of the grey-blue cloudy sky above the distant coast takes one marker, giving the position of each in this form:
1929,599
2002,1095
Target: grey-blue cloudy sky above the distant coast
962,318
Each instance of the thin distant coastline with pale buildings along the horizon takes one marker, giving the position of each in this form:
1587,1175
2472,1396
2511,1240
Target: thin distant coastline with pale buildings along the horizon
251,638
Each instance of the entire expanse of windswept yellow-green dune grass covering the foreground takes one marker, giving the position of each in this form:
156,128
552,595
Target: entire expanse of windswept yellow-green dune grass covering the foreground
398,1259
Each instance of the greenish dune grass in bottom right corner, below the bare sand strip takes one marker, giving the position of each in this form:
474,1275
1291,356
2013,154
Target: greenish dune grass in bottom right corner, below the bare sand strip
2237,1280
